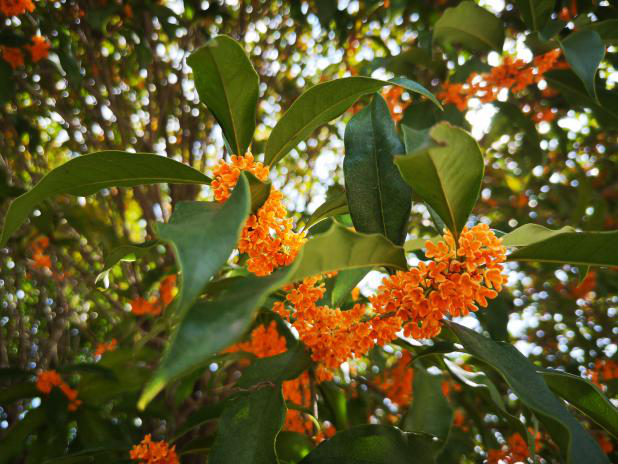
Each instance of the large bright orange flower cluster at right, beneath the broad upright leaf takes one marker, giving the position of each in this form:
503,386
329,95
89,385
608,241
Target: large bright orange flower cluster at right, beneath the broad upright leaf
455,282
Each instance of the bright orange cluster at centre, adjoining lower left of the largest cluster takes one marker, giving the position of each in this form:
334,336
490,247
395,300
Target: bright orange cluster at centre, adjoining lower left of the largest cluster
332,335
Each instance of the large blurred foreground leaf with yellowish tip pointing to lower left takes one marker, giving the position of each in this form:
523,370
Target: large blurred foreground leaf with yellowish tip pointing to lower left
210,326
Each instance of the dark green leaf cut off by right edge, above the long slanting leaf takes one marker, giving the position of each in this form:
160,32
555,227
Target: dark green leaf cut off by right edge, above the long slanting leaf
585,396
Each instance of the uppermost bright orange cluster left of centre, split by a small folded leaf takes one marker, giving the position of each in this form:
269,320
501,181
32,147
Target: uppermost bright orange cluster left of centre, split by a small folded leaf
267,237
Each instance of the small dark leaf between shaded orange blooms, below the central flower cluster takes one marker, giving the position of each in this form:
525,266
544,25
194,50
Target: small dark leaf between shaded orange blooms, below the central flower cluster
276,369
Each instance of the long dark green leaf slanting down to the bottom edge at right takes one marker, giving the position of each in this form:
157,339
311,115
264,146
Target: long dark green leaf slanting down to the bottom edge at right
573,441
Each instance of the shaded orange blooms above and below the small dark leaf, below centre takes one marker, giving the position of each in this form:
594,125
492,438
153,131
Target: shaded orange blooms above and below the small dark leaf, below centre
266,342
